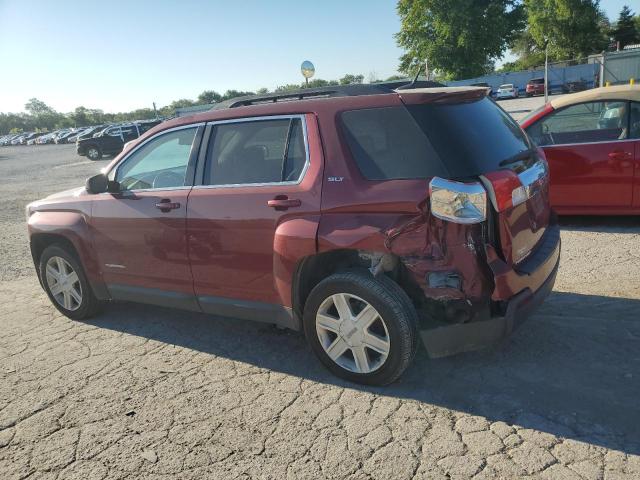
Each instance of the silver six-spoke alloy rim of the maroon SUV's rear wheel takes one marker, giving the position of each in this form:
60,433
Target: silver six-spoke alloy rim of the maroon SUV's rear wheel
352,333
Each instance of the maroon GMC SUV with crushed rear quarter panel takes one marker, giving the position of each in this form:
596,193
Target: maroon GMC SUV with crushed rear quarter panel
364,216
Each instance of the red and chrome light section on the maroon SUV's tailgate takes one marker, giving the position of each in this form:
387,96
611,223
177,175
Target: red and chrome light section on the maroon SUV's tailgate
507,189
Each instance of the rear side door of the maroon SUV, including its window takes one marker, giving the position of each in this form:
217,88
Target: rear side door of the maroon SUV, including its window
255,214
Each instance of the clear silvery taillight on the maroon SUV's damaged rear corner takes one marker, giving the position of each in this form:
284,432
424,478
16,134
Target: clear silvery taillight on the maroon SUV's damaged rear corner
458,202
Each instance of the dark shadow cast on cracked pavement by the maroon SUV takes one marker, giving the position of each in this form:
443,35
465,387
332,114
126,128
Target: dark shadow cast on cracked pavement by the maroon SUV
572,370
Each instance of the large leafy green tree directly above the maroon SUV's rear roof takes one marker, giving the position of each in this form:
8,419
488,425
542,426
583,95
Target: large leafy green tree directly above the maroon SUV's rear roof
458,37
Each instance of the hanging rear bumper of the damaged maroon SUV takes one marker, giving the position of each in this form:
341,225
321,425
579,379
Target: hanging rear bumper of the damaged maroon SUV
456,338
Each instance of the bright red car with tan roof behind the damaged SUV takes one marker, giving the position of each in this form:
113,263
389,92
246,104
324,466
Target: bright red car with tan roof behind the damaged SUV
592,142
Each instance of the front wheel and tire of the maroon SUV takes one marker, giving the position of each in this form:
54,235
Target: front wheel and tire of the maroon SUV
66,284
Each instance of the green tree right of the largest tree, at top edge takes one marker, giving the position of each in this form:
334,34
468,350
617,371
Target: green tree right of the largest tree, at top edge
572,27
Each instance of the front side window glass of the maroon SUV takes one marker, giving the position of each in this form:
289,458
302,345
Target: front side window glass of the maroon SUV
160,163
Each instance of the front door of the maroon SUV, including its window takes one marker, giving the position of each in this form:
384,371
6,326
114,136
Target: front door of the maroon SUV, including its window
140,233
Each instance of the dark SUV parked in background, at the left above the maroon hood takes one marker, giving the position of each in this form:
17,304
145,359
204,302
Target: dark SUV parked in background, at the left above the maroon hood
111,140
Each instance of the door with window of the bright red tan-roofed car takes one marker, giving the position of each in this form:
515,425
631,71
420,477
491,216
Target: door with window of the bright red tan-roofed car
590,155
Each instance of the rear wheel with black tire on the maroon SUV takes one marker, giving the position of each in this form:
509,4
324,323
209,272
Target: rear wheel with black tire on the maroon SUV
362,328
